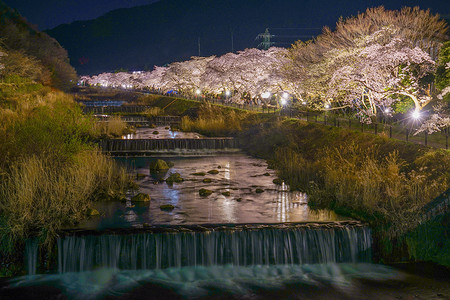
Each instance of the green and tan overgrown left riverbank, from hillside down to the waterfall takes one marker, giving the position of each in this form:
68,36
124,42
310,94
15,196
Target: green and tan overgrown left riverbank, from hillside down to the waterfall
51,172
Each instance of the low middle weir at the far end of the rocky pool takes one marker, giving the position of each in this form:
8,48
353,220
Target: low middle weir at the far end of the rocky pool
177,146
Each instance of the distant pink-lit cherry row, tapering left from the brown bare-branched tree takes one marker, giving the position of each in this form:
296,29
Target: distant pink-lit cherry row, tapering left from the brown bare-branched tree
250,73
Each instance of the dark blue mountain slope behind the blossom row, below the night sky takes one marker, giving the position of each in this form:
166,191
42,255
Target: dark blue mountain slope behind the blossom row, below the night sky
170,30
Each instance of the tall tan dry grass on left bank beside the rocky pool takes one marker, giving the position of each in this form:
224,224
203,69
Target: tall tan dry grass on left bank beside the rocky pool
38,196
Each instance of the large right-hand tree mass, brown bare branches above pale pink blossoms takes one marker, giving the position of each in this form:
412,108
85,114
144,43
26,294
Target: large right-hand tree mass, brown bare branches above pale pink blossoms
372,60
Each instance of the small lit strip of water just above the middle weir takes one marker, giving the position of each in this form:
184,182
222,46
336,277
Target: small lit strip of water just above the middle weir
163,133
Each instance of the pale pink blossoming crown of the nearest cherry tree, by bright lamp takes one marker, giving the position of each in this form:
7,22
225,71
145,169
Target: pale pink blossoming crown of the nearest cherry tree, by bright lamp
377,73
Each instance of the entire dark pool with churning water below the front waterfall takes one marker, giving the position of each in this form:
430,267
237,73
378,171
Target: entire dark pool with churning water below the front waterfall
308,281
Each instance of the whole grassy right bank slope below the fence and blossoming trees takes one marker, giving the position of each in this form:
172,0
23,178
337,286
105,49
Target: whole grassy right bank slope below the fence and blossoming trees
371,178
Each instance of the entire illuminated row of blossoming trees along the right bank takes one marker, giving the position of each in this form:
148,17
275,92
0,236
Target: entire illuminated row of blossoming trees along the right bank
380,60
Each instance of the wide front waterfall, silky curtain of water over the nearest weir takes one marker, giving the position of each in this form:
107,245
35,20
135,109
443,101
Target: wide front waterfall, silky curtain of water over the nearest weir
267,246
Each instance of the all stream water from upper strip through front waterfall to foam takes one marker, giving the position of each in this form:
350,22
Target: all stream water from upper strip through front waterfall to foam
248,239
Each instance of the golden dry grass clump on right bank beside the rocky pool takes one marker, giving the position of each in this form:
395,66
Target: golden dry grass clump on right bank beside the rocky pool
383,187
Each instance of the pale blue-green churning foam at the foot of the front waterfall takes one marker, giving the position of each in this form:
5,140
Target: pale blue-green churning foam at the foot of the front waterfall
336,281
